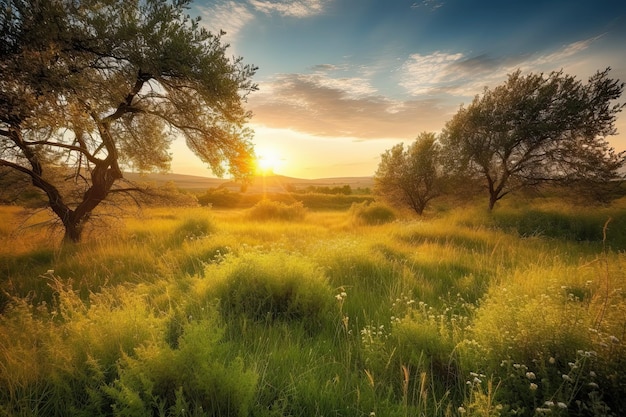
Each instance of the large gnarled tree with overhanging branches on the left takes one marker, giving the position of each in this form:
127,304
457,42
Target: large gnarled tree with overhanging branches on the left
98,86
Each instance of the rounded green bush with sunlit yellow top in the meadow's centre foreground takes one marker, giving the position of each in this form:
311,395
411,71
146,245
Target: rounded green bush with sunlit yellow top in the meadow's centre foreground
273,286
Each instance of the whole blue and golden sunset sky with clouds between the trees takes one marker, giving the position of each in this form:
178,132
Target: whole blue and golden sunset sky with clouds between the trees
341,81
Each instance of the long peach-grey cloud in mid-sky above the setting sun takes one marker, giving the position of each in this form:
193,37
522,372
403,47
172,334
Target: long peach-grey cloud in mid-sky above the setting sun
322,106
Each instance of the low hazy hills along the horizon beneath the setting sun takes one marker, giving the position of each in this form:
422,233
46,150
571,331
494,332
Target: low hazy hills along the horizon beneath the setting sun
270,183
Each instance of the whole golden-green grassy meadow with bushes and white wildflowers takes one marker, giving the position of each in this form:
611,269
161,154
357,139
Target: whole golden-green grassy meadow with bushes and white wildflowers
282,310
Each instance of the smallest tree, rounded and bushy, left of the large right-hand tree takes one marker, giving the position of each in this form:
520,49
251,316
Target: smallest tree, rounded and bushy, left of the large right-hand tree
411,177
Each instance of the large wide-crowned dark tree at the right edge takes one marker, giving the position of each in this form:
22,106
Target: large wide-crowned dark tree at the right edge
536,129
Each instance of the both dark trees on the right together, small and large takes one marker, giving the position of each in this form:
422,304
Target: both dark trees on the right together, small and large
533,131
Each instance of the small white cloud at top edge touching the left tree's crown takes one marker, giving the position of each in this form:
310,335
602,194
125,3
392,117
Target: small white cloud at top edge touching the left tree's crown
228,16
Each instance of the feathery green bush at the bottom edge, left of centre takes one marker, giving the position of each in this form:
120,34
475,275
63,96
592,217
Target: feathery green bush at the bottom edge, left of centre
190,380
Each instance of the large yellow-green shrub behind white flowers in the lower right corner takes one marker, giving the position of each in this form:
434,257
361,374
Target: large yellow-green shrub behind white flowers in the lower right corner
545,348
